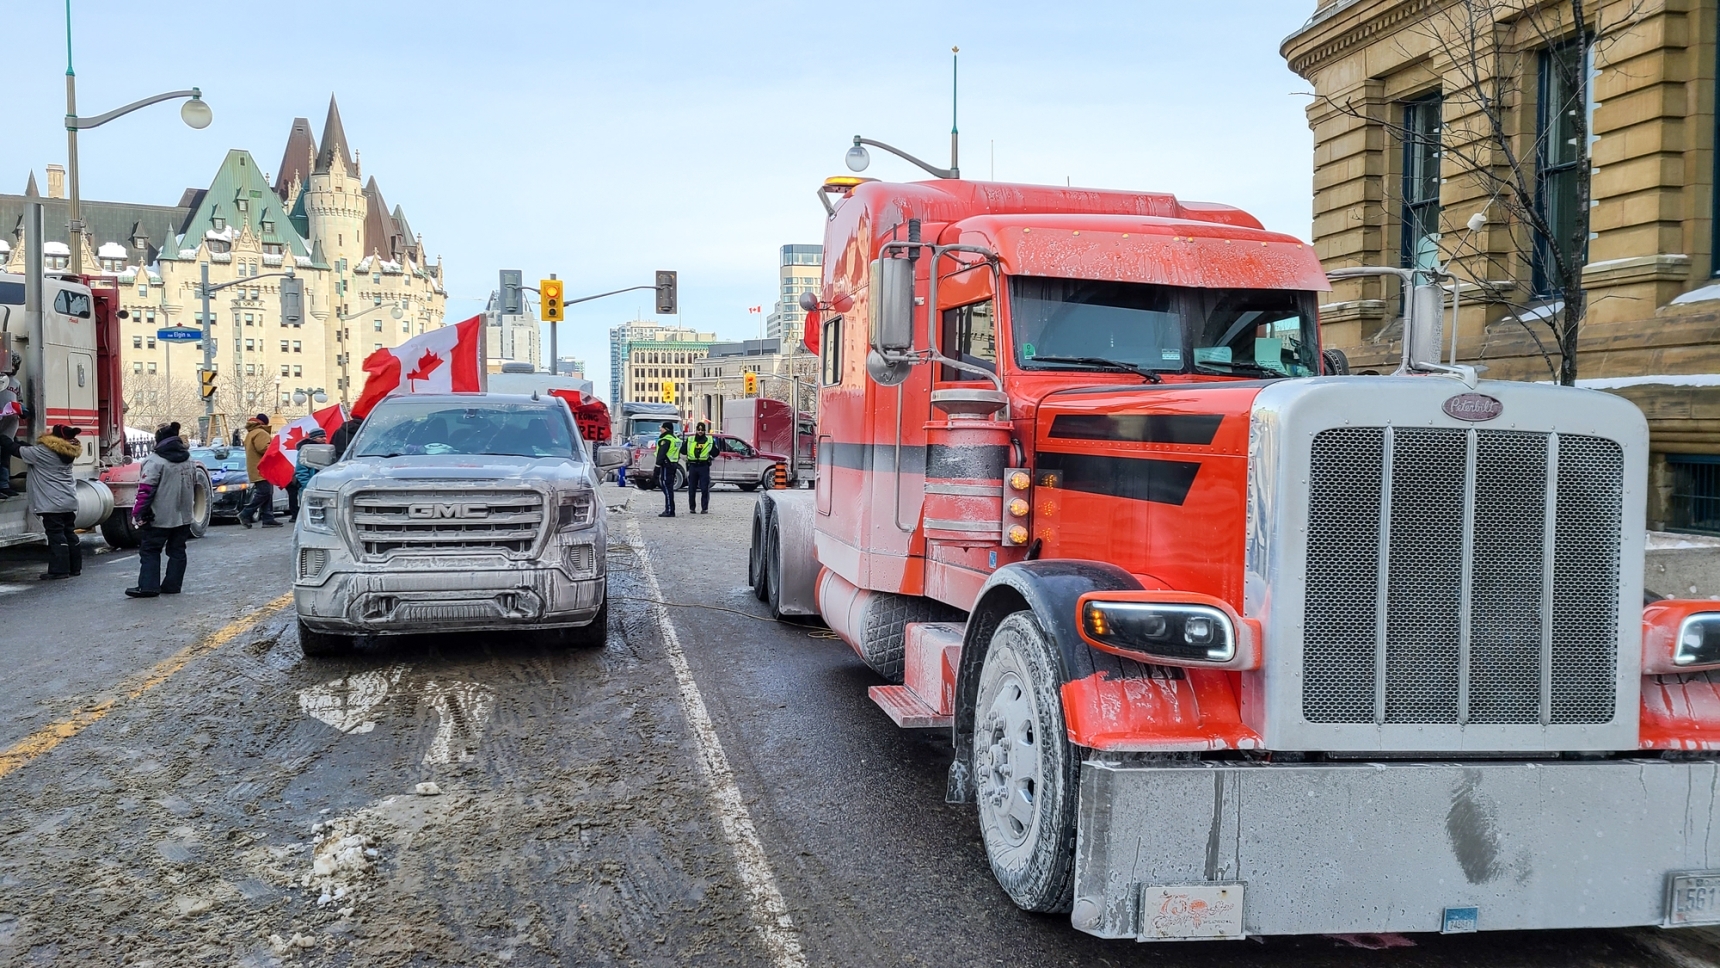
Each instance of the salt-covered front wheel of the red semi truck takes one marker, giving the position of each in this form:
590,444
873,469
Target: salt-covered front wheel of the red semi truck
1024,769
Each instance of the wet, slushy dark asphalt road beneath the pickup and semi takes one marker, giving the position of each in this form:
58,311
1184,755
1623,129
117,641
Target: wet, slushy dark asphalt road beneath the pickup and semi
235,804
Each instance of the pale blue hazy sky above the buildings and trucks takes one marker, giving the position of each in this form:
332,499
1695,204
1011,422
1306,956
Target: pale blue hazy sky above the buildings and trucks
603,142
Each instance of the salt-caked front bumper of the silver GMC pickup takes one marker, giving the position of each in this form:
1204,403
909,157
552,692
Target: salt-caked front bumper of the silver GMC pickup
443,594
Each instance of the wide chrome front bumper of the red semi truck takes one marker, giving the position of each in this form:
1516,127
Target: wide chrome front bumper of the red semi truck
1231,850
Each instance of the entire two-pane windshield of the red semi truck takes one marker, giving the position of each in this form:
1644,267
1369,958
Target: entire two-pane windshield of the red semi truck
1074,324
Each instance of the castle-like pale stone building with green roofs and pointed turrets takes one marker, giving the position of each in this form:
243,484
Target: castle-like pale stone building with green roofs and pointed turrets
367,279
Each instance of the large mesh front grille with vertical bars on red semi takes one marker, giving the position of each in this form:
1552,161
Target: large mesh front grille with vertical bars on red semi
1463,577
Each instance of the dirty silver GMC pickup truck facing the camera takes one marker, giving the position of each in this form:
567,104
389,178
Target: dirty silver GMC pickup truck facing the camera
455,513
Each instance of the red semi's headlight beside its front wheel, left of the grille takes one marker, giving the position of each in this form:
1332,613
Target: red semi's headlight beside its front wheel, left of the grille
1169,628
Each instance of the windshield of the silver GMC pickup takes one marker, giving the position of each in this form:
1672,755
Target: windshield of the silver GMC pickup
507,431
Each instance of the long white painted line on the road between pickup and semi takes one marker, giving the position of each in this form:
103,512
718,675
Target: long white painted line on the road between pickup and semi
766,905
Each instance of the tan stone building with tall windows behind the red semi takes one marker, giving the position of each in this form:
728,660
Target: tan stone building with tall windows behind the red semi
1392,133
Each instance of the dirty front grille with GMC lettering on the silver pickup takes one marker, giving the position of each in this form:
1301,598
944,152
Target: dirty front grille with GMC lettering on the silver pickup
390,522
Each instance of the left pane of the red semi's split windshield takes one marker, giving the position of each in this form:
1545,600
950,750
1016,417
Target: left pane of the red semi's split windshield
1078,319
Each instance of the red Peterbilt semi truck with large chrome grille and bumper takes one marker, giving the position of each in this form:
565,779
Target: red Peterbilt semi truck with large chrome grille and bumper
1231,644
